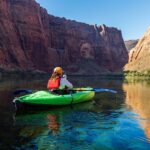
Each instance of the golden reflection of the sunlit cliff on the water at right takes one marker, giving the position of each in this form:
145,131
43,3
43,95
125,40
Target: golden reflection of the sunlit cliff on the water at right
138,97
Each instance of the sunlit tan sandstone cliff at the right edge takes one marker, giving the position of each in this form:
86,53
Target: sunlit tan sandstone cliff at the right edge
139,57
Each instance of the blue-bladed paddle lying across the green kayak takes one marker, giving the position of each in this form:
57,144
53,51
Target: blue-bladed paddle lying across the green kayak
97,90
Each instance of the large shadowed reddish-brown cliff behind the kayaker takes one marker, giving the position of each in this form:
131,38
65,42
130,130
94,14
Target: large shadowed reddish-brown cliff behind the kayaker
30,38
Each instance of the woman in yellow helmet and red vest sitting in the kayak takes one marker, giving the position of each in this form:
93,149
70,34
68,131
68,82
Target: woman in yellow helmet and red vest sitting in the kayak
58,82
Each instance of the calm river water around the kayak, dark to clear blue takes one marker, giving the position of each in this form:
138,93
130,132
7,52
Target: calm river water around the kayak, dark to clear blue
110,121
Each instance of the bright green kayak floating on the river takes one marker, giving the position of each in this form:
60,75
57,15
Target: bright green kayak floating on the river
48,98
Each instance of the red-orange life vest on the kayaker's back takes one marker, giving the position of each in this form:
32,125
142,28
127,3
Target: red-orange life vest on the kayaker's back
53,84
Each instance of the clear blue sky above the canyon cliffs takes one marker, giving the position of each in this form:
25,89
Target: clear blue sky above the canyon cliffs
132,17
